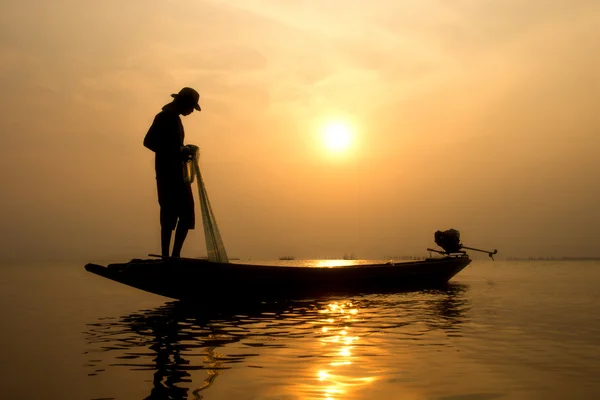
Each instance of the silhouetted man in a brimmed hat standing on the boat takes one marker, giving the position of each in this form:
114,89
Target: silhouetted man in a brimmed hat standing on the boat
165,138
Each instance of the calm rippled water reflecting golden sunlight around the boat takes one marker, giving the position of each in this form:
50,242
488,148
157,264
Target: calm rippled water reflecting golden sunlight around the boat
501,330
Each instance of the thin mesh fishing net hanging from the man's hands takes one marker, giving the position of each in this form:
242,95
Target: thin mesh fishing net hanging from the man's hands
214,244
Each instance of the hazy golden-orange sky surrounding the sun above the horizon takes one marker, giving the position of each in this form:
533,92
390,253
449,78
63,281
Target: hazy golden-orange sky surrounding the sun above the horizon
467,114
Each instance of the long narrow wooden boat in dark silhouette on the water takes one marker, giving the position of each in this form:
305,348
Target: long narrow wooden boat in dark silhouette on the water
198,280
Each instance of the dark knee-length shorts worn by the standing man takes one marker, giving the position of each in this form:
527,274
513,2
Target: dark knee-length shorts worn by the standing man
176,204
